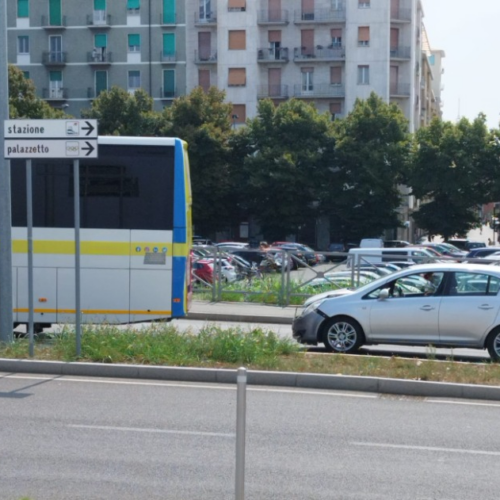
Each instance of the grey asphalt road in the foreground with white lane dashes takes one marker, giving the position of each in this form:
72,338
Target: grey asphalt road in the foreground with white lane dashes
64,438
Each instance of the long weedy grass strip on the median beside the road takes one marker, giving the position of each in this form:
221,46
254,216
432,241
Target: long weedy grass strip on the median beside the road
257,349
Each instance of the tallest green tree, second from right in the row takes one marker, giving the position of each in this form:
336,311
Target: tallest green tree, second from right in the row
361,189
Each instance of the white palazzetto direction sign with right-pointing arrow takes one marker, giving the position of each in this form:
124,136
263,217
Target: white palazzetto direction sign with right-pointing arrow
50,148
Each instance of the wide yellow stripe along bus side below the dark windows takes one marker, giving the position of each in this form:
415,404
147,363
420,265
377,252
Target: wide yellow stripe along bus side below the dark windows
100,247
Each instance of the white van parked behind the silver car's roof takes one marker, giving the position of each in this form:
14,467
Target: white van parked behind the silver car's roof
414,255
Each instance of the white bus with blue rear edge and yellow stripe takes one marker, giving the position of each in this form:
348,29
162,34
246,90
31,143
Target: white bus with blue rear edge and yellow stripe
135,236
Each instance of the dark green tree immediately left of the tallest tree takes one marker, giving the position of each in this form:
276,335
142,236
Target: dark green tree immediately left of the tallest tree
287,150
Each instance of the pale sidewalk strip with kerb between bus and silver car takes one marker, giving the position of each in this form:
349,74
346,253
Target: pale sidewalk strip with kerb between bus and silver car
246,312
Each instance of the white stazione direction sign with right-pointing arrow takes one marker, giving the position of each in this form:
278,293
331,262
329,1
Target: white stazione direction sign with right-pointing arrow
50,129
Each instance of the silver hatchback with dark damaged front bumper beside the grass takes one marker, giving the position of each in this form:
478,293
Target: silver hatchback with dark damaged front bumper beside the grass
446,305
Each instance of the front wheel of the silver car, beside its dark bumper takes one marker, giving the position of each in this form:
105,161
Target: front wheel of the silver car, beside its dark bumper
343,335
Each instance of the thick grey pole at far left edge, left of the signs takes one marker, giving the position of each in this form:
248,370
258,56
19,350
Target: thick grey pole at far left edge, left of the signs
6,318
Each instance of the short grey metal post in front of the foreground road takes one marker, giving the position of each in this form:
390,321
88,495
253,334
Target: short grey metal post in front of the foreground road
241,395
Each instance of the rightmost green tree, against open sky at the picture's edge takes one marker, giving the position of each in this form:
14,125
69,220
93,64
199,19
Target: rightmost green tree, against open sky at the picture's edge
454,169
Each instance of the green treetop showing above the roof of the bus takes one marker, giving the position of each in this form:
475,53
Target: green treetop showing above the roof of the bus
121,113
